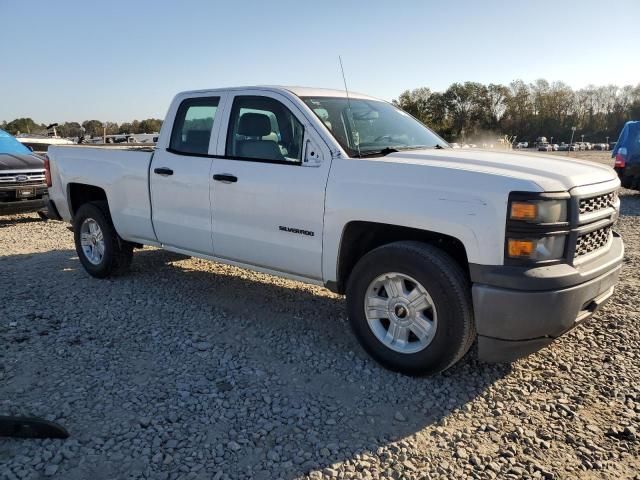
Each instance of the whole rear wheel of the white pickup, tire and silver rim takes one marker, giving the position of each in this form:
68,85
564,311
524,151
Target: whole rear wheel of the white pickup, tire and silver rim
100,250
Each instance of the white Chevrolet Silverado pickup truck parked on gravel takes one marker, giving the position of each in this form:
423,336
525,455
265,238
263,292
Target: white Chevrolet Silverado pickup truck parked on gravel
433,247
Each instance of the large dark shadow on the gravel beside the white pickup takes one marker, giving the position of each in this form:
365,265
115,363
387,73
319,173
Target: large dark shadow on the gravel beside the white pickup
183,357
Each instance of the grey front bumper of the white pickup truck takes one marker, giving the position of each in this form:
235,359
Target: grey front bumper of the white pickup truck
516,321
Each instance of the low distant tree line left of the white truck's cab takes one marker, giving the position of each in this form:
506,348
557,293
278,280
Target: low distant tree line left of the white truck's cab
94,128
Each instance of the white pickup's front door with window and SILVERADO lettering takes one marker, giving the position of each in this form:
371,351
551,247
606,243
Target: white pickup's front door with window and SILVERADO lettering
268,208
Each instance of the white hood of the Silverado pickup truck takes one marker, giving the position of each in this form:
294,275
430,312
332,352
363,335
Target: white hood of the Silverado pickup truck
550,173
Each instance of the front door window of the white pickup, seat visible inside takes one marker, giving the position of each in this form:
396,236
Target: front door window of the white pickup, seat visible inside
264,129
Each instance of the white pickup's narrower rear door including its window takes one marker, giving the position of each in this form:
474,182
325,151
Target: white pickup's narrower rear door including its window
180,176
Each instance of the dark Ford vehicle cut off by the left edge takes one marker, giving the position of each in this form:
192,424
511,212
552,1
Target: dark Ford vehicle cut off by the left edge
23,186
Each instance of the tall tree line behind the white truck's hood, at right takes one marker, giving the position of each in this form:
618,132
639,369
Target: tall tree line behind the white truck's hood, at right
470,110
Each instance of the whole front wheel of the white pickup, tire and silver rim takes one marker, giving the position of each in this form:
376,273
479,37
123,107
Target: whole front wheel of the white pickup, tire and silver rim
410,307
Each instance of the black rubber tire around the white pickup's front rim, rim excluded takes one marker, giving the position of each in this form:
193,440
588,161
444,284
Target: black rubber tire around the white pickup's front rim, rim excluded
447,285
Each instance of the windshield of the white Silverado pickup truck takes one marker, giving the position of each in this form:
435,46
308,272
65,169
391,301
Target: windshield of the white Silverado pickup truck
371,127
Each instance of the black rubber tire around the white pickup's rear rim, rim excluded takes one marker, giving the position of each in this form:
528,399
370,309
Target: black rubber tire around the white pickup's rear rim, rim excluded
117,252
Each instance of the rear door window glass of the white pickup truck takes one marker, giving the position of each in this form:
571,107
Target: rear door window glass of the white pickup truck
193,124
